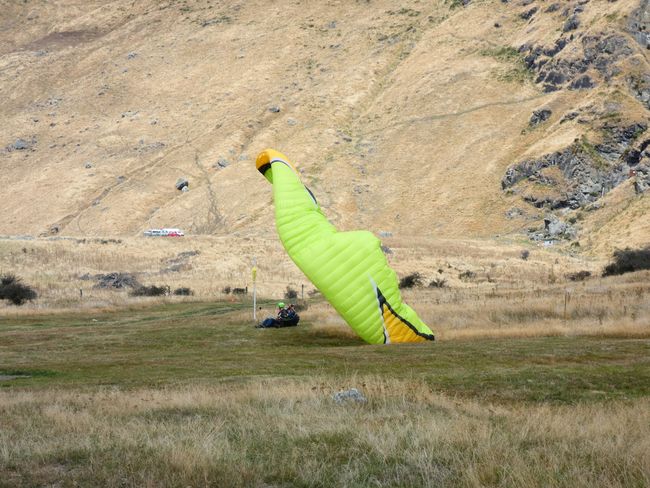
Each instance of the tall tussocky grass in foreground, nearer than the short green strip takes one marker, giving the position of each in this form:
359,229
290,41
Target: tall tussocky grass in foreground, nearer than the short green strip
284,432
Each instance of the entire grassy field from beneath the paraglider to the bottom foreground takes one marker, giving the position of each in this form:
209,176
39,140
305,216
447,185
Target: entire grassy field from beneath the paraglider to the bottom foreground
190,394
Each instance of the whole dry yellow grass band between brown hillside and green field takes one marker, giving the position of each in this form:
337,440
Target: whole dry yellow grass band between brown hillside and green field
504,295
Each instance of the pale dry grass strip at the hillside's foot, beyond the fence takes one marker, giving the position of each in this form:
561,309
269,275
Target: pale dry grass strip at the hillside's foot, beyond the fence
55,268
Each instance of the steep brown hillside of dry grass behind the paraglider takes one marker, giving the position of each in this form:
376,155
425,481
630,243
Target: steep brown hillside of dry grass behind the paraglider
403,117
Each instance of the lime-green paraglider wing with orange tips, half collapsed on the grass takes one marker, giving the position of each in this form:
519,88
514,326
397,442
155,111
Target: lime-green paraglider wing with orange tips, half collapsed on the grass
348,268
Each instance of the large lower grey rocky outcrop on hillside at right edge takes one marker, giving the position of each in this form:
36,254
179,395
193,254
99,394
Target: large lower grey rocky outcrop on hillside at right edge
588,171
